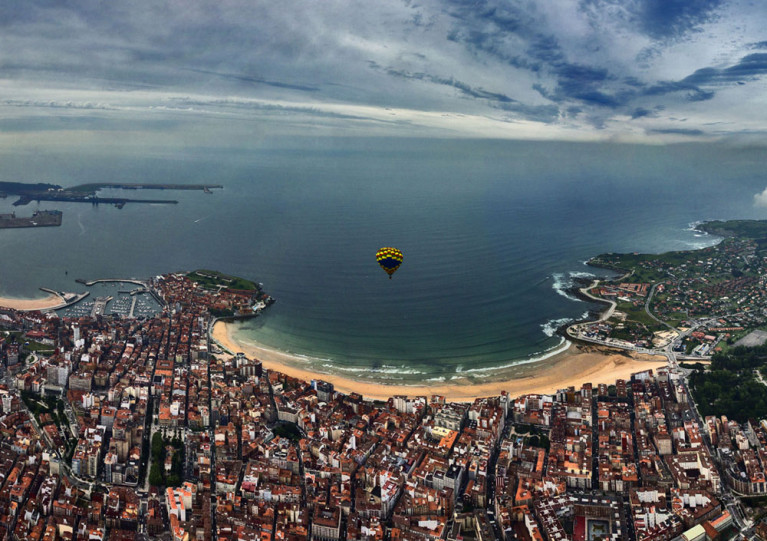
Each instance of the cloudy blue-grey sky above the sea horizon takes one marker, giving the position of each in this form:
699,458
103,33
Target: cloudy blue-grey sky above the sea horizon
219,72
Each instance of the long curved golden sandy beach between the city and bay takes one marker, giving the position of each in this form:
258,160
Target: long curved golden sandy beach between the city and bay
573,367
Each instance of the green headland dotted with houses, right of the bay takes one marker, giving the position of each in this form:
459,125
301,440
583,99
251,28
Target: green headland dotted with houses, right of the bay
687,304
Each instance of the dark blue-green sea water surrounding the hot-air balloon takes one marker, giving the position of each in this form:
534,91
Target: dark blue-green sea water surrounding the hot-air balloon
492,232
